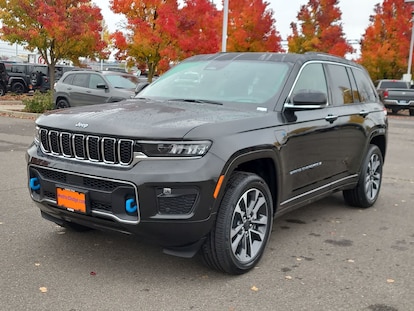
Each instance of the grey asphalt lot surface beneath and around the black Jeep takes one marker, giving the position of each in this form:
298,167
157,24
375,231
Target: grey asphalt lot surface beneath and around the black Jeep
325,256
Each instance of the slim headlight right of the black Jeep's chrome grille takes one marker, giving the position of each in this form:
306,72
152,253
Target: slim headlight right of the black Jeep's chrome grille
174,149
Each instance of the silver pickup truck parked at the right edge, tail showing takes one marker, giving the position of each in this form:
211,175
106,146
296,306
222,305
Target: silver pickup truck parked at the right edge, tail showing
396,95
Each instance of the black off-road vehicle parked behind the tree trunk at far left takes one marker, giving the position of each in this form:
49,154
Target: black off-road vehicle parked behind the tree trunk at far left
25,77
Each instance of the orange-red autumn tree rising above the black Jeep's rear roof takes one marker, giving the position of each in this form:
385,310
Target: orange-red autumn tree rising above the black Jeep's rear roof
320,29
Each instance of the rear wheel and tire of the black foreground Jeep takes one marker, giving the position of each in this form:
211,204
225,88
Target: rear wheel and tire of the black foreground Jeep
367,190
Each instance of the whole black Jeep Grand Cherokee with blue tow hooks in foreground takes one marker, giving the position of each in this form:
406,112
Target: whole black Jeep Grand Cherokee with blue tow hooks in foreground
207,155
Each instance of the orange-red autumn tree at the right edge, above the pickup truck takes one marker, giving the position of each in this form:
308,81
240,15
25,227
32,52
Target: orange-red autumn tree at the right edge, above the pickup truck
386,42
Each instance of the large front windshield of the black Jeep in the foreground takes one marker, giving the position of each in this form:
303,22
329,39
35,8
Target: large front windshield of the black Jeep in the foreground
235,81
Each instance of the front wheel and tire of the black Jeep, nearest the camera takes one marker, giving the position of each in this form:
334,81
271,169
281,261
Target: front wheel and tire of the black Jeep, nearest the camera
239,237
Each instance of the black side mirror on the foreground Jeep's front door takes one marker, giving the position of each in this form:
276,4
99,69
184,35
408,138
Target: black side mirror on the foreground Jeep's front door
305,100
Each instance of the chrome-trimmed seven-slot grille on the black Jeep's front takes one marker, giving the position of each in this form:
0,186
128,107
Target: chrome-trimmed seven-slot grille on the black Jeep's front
109,150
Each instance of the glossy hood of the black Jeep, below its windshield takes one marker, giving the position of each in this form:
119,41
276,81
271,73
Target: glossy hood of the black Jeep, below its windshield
138,118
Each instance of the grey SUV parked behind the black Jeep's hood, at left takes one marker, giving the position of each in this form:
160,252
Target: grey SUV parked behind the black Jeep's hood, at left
89,87
